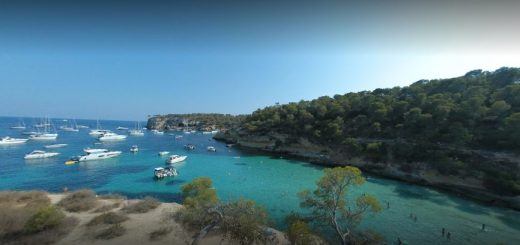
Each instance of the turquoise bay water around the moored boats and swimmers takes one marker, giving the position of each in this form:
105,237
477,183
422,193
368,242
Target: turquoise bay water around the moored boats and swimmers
270,181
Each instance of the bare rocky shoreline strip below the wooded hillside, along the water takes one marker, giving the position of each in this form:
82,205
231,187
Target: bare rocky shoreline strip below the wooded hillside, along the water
305,150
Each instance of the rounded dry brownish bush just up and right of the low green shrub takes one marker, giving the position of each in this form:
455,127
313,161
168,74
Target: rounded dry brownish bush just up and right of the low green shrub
79,201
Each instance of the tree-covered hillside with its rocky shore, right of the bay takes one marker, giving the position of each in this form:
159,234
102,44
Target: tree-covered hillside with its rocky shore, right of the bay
460,134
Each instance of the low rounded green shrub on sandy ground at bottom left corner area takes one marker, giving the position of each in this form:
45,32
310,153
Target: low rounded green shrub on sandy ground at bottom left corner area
45,218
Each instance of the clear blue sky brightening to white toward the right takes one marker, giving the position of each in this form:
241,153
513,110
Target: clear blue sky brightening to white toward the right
129,59
